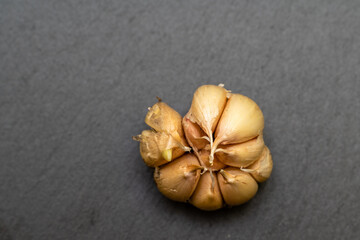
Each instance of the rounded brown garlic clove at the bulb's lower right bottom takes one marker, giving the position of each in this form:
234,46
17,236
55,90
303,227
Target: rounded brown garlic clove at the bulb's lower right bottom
237,187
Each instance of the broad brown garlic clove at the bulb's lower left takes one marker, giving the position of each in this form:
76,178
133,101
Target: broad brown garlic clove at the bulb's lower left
178,179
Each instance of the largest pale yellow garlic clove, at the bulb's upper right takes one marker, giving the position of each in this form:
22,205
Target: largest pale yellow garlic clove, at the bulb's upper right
241,120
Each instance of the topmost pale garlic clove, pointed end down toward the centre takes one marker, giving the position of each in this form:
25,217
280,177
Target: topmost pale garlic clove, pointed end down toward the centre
207,105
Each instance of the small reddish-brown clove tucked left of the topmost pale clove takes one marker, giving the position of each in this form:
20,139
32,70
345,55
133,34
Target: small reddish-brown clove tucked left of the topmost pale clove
194,134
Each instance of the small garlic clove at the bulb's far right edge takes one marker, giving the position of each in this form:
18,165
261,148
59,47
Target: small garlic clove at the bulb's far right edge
262,168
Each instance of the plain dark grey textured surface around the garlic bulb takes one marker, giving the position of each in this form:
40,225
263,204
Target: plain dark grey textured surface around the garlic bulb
77,78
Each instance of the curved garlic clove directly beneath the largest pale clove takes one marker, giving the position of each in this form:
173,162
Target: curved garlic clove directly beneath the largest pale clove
241,154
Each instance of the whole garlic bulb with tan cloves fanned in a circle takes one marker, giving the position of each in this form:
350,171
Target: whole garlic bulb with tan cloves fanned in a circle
228,154
